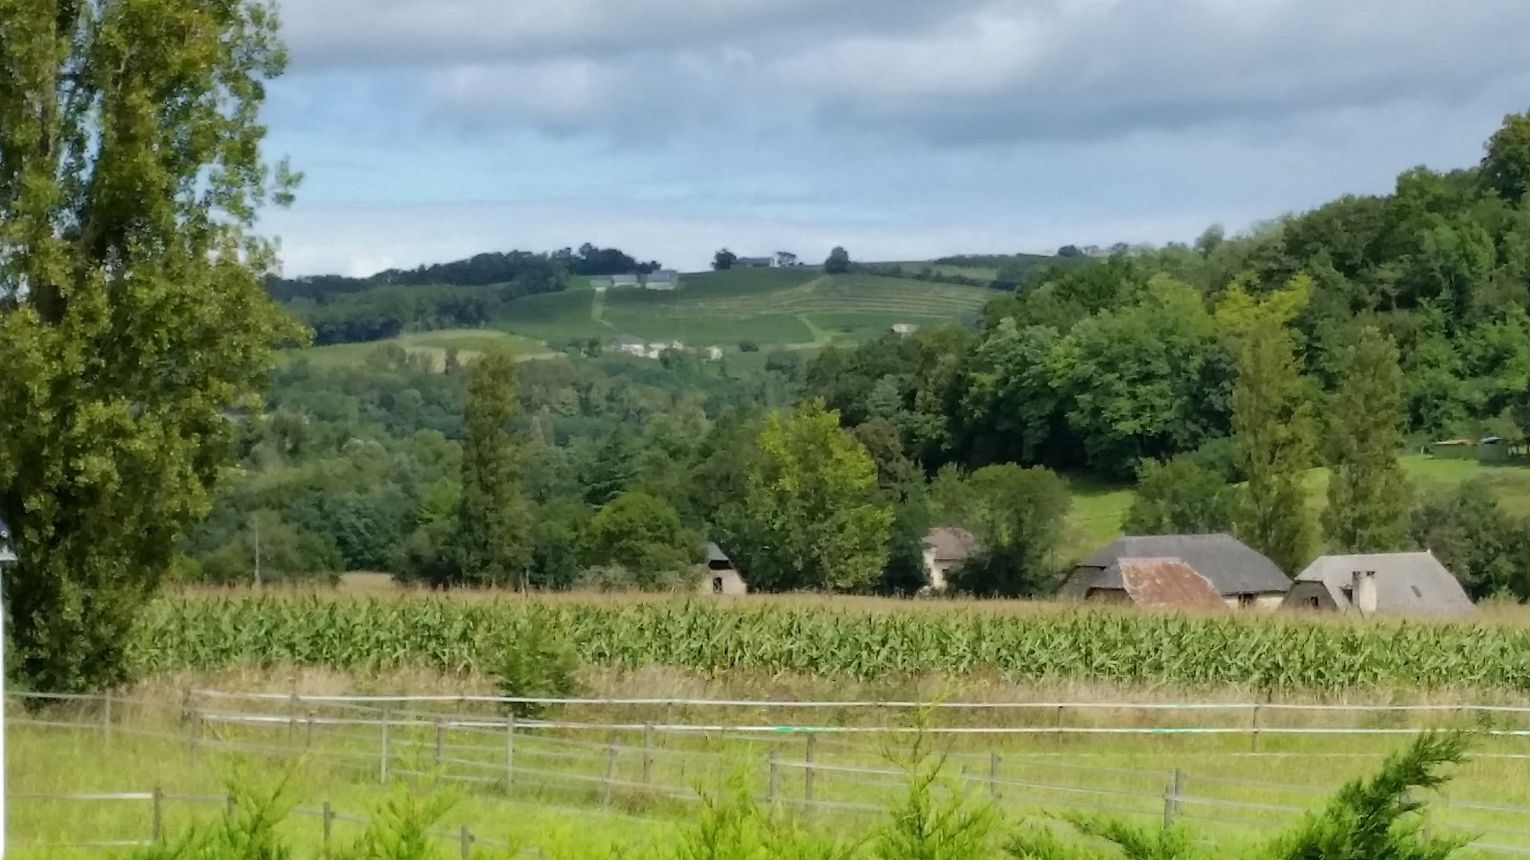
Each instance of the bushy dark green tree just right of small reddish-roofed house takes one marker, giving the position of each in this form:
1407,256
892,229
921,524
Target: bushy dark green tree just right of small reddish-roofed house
1018,516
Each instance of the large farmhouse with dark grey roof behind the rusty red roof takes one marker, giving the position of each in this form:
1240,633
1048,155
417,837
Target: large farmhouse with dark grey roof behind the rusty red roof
1243,578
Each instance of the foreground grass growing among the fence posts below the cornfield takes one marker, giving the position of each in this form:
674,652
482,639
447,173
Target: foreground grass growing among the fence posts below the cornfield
581,819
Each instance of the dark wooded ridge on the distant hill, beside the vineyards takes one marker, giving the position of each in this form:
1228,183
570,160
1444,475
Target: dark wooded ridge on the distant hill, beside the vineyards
460,295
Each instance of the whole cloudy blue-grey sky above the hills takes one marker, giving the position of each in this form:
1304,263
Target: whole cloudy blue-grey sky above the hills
431,131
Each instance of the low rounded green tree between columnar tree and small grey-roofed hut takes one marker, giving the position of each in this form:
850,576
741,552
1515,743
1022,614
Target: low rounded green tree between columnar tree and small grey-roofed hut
643,535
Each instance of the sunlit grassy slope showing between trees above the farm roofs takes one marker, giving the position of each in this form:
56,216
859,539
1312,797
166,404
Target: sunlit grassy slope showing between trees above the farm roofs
1099,509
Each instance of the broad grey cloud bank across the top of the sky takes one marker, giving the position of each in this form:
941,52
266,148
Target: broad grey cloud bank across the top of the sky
946,74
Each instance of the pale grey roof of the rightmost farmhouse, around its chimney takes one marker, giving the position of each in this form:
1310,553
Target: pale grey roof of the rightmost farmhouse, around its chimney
1408,584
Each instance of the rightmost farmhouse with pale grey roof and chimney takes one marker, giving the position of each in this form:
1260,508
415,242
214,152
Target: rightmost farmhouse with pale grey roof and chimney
1384,584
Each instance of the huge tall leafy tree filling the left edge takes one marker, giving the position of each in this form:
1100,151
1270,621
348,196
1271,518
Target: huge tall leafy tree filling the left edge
132,314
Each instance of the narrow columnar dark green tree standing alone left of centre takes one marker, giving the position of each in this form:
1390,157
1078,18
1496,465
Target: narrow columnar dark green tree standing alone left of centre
493,536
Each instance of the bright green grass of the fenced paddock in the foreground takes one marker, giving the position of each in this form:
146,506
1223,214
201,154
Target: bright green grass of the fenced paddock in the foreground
562,806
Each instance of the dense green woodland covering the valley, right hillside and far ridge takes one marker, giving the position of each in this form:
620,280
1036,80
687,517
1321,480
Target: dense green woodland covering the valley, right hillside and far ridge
1214,374
